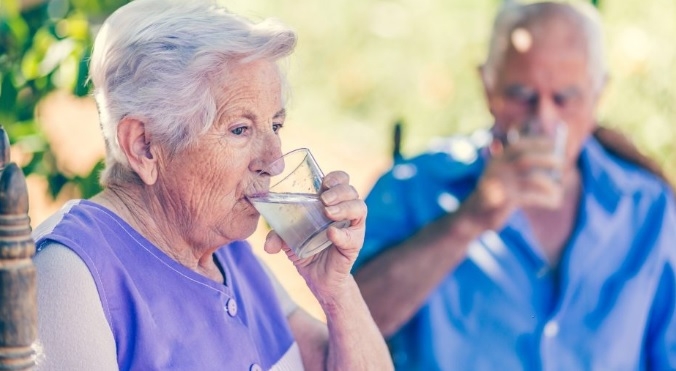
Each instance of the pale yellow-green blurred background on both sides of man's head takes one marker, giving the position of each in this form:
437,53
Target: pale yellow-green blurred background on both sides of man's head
360,66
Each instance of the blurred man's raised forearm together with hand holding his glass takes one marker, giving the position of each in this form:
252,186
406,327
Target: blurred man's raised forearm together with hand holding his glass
396,282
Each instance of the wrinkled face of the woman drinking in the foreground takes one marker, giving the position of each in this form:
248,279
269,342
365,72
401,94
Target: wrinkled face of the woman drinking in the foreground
204,185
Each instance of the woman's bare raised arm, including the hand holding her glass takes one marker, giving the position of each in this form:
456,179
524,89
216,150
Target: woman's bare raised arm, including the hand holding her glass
350,340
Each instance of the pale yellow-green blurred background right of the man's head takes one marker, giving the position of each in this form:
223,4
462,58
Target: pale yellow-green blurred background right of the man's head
641,94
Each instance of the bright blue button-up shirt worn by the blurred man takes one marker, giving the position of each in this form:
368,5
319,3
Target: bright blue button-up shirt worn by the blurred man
608,306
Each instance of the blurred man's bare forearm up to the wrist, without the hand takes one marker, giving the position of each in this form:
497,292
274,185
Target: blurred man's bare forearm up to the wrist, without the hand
396,283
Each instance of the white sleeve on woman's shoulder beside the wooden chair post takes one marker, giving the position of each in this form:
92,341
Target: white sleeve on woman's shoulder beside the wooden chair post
72,329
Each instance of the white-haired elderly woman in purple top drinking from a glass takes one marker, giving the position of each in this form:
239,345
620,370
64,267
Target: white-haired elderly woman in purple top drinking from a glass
152,273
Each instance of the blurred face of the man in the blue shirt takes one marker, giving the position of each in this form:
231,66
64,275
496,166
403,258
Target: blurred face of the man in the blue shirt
546,79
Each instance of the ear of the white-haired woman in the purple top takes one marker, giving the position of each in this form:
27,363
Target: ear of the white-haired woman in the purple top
135,143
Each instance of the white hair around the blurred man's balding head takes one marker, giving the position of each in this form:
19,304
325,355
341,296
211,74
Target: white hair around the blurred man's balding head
514,14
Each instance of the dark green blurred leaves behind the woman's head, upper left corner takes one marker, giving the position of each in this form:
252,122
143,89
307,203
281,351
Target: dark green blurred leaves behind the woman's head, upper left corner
44,46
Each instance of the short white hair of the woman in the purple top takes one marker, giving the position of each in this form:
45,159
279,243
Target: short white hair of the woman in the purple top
156,61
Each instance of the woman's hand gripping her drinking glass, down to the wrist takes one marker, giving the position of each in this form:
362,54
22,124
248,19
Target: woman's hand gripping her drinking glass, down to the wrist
327,271
